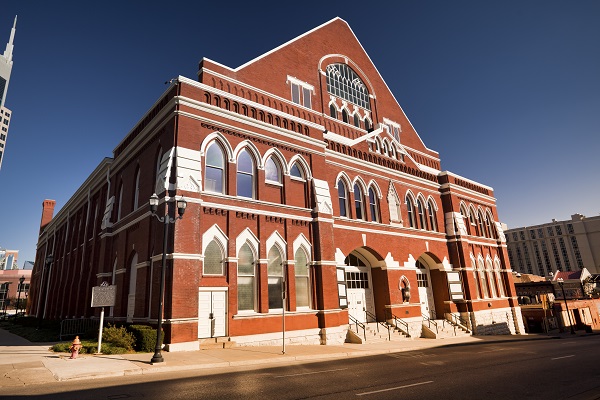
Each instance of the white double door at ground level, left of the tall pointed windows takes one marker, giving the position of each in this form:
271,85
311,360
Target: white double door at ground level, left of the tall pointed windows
212,312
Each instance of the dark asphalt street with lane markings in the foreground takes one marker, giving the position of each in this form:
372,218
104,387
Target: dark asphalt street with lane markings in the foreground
549,369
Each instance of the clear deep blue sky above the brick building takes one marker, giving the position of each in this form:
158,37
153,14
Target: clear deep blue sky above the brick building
507,91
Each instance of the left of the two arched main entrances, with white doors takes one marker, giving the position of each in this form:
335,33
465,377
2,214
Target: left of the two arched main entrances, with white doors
359,287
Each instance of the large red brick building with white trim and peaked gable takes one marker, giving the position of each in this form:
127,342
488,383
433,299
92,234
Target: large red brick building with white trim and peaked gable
300,171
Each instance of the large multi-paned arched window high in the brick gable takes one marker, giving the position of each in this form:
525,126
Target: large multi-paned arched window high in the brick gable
343,82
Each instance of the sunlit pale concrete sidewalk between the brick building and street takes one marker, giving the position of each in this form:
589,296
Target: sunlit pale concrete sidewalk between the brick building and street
26,363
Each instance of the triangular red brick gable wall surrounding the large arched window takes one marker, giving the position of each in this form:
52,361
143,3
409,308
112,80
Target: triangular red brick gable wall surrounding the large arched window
305,58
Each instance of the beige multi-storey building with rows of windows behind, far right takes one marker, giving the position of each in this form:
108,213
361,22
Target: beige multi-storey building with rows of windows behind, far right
556,246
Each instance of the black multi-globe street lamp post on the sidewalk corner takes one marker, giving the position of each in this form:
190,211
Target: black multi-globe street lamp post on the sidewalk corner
166,220
